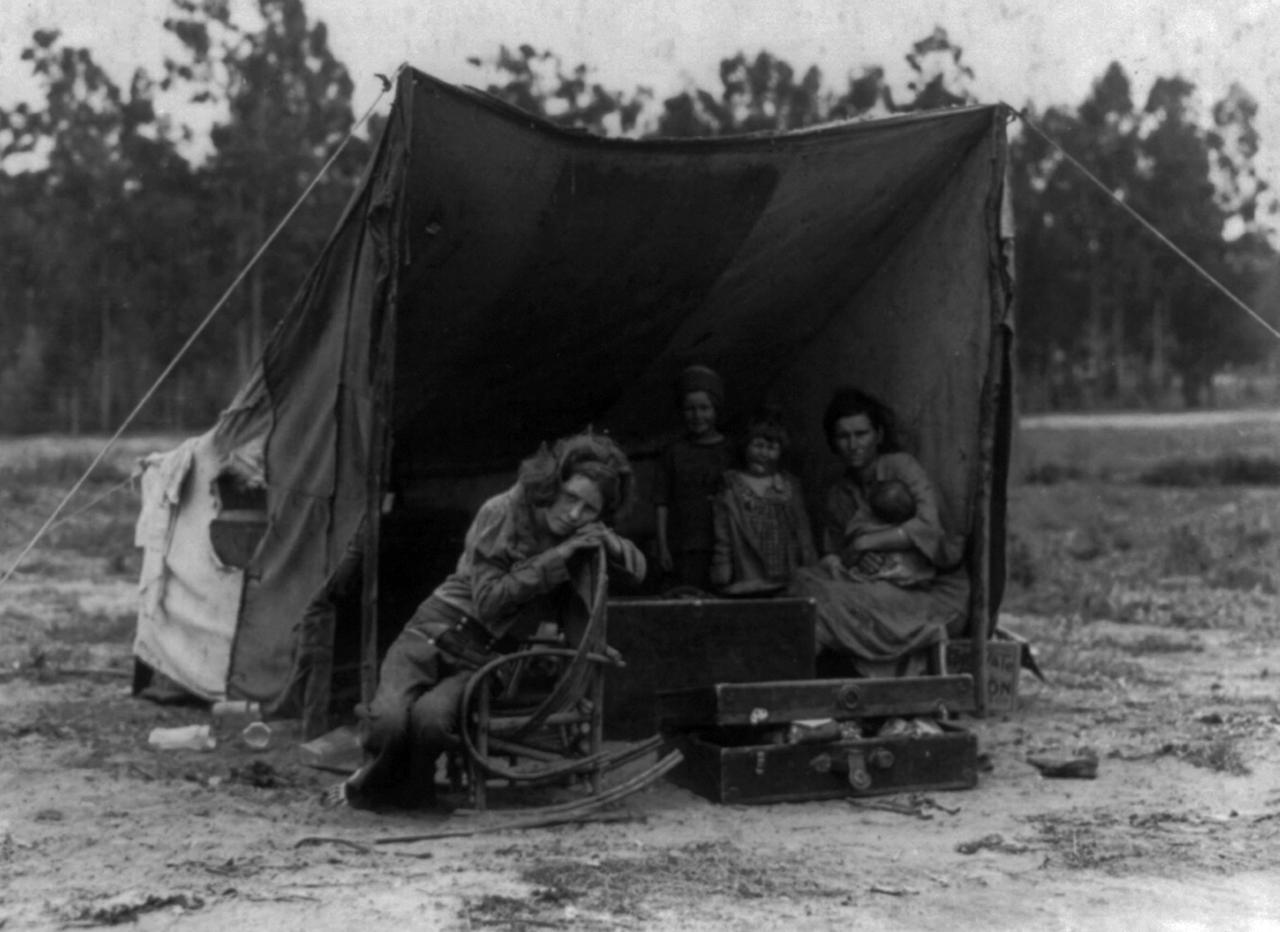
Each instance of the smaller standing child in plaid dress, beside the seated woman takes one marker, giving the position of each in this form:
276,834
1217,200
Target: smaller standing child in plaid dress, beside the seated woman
761,524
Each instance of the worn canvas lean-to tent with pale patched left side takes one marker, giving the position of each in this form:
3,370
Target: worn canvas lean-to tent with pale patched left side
499,282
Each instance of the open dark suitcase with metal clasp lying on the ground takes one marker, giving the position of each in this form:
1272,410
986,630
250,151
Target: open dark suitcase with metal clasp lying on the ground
820,739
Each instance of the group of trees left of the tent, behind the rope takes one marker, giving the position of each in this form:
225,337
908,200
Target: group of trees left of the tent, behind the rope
121,231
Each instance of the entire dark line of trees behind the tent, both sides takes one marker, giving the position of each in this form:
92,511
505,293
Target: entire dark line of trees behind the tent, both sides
121,230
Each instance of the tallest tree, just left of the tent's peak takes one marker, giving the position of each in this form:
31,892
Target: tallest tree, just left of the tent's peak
282,106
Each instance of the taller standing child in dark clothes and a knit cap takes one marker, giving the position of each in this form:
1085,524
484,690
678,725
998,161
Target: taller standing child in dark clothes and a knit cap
689,476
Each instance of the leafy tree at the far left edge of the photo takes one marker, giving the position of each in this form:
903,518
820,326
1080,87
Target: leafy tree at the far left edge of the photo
84,293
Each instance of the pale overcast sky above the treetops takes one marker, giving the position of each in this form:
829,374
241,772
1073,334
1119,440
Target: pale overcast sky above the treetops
1021,51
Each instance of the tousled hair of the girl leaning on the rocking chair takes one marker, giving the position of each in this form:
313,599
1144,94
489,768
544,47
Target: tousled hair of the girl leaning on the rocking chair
589,455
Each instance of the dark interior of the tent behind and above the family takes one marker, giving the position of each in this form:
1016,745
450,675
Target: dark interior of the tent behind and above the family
534,282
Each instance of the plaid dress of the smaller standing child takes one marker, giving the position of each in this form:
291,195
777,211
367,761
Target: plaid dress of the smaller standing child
761,537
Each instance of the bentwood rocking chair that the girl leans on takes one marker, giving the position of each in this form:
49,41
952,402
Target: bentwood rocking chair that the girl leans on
501,734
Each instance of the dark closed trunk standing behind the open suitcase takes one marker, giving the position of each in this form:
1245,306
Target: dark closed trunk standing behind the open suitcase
673,645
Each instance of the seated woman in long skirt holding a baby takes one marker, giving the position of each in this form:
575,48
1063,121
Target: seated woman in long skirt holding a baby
881,622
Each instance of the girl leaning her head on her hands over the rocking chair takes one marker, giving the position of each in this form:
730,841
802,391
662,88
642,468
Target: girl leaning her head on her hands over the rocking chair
524,563
